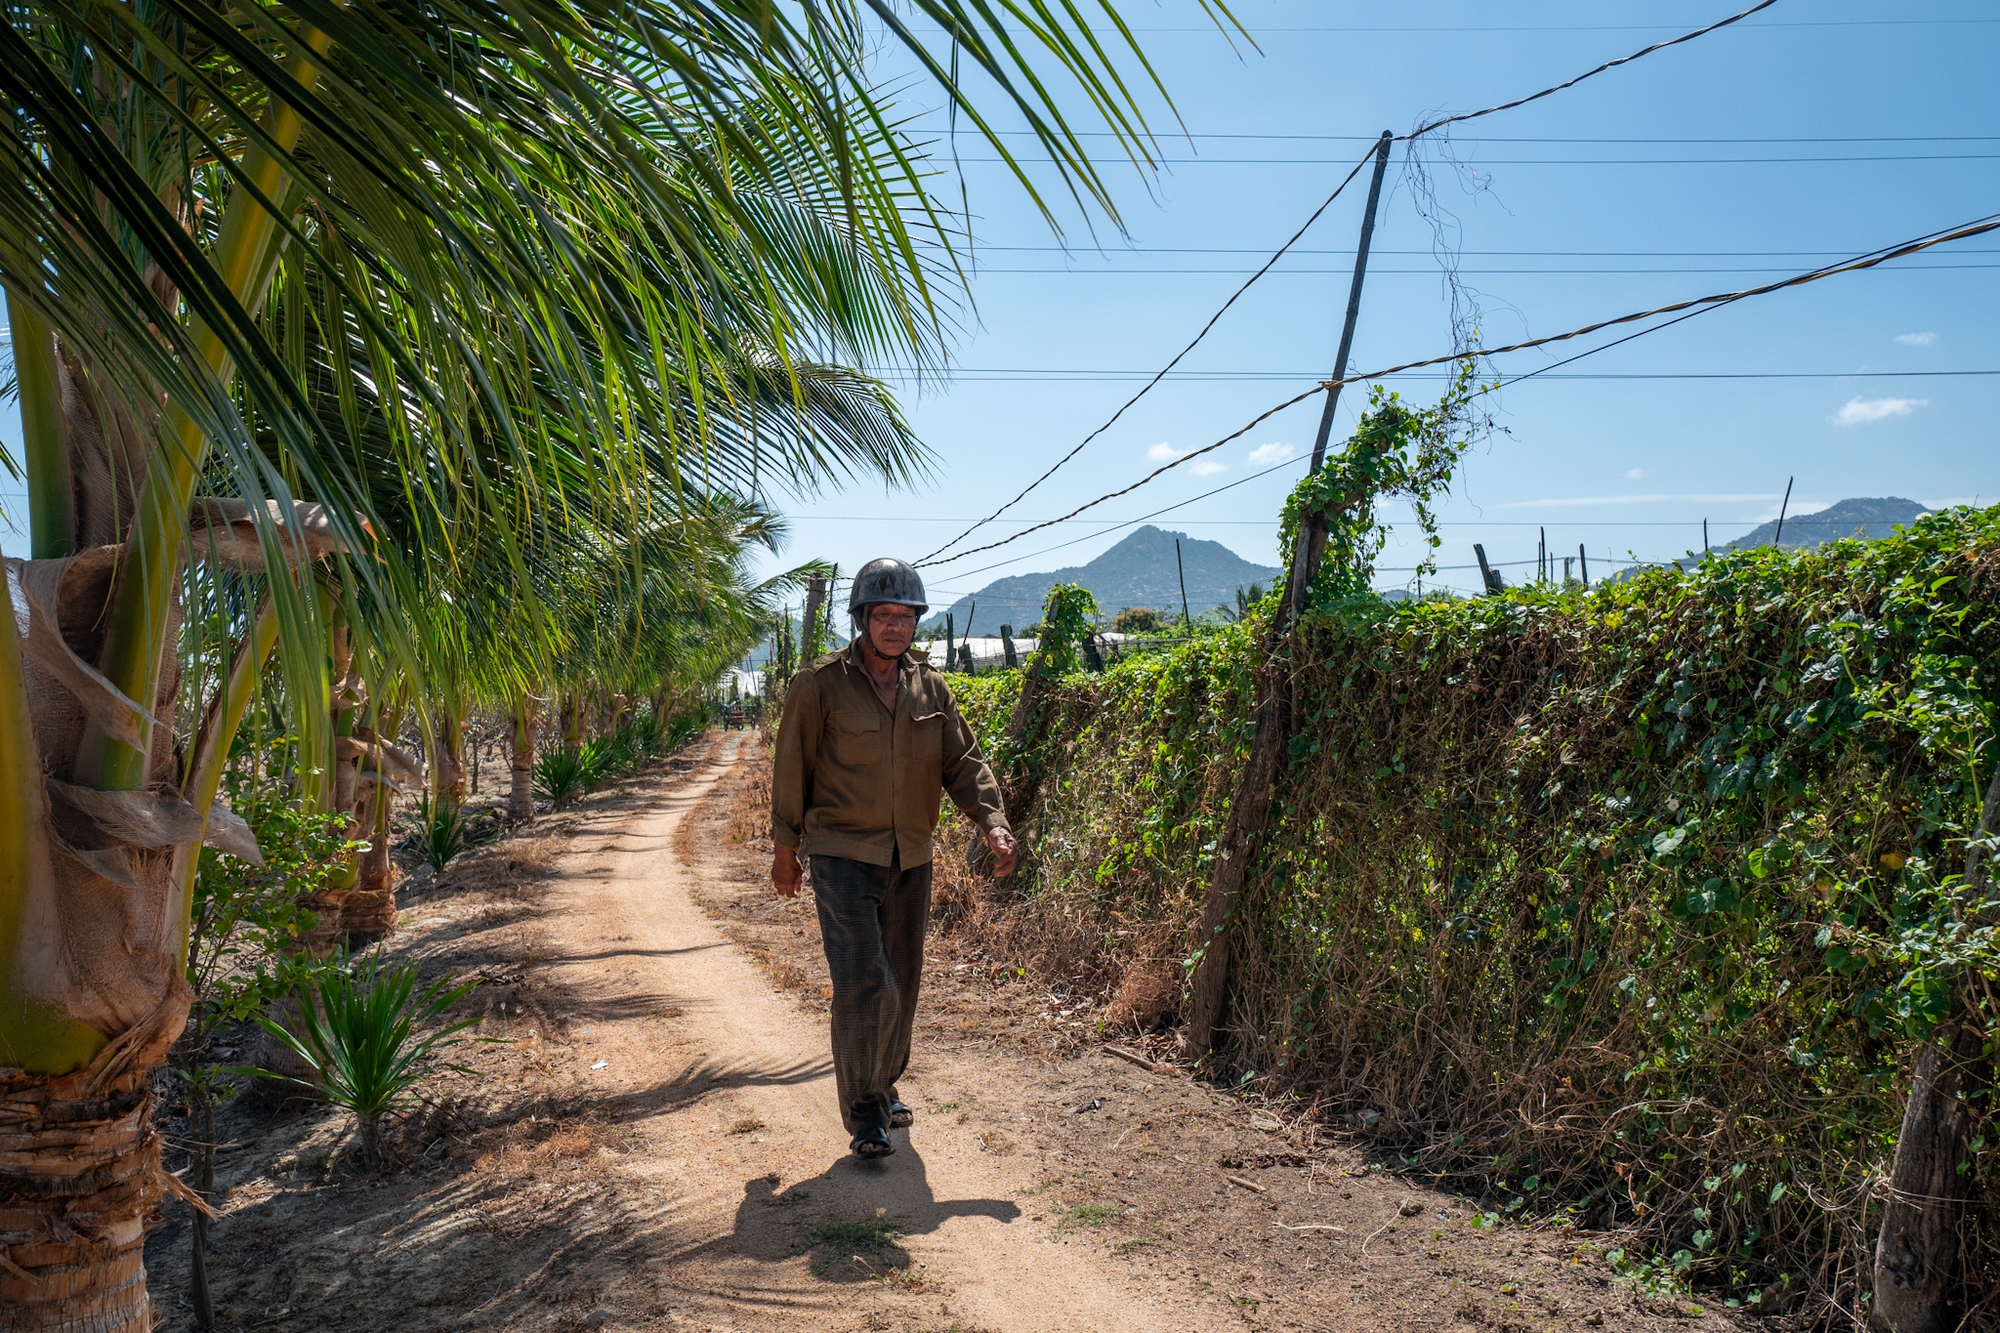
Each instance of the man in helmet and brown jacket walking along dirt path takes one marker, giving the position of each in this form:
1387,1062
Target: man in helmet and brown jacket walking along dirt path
869,742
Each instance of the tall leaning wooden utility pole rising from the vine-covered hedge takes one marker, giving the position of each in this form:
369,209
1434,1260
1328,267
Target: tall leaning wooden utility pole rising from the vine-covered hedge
1255,788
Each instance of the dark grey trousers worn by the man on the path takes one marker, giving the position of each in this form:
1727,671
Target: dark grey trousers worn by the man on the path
873,926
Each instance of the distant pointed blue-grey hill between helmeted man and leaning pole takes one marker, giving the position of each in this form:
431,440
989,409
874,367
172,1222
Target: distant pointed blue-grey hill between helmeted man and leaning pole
1135,573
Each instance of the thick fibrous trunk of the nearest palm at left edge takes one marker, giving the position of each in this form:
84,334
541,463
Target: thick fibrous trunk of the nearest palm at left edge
93,818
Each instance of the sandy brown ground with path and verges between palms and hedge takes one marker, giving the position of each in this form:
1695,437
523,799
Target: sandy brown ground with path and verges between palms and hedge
657,1144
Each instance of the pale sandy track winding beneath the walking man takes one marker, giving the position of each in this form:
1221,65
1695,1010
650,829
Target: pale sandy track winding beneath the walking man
741,1160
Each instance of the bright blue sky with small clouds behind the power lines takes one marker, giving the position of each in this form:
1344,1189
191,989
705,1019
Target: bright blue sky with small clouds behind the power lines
1805,135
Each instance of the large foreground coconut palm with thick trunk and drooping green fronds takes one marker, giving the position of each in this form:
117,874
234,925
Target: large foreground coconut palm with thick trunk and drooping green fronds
507,265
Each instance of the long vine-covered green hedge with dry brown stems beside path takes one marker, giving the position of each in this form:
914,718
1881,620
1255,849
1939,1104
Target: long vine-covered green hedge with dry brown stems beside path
1629,904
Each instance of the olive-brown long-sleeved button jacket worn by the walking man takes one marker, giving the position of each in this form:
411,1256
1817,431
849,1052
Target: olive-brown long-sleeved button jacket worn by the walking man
861,782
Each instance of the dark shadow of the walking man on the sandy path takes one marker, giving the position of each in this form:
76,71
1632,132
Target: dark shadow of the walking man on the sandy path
853,1216
